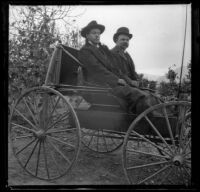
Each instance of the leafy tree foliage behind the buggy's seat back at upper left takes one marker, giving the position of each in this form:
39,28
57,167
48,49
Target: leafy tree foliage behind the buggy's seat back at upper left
32,37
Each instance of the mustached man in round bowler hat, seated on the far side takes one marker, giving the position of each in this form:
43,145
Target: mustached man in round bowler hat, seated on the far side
124,62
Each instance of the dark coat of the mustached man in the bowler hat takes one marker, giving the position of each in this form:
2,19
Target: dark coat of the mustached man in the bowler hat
124,64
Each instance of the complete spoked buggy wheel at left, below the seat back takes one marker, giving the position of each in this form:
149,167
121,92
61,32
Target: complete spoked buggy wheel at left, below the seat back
44,133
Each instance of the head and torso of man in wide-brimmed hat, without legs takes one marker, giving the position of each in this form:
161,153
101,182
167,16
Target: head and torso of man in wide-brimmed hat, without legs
95,57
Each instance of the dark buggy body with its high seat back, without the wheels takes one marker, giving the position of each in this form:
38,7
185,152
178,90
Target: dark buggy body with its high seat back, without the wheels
105,111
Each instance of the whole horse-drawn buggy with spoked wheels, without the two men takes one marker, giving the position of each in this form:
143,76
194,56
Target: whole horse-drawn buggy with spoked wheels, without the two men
49,123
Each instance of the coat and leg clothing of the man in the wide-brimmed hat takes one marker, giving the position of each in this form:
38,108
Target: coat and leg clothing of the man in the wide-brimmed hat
99,69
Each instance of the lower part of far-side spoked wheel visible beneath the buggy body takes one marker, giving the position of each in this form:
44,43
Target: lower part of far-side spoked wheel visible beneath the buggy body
102,141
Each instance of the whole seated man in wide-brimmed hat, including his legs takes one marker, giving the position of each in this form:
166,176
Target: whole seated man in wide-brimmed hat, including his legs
99,69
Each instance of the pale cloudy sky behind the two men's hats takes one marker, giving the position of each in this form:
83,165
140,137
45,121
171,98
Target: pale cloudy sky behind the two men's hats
158,32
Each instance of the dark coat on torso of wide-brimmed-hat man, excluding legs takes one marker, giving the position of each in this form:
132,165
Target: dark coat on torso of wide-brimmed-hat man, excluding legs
98,66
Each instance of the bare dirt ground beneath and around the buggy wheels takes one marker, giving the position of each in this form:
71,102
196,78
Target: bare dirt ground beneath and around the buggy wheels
91,169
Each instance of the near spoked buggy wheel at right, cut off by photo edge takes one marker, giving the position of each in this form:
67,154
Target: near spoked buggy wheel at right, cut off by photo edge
157,149
